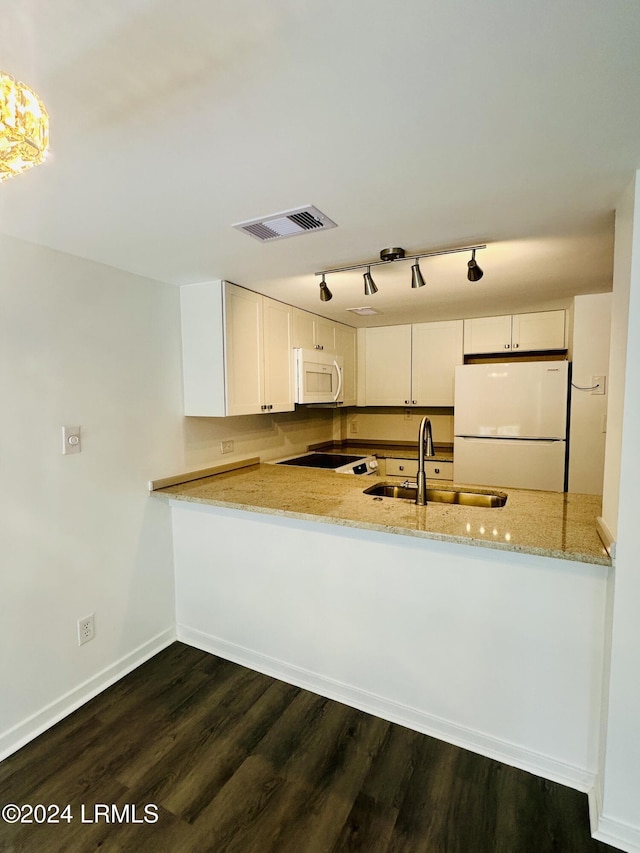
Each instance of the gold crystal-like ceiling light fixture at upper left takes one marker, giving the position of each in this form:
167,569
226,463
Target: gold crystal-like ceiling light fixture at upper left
24,128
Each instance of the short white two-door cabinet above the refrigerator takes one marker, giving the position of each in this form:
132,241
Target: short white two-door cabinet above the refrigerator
533,332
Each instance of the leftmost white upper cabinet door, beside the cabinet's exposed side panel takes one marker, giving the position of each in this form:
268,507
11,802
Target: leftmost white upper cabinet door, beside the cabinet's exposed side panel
243,351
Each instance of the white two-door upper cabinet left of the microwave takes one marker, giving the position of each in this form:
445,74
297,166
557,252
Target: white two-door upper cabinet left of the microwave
236,348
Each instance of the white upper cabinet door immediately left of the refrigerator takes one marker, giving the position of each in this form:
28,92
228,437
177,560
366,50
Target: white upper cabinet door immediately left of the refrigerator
436,350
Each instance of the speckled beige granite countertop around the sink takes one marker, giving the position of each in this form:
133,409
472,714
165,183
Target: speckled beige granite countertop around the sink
547,524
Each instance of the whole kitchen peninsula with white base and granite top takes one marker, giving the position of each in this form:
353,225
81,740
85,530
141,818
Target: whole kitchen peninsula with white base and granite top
482,627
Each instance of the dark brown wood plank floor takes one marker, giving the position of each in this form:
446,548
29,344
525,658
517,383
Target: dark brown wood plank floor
236,761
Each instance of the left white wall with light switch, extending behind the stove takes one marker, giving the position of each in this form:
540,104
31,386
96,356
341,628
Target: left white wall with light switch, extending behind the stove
84,344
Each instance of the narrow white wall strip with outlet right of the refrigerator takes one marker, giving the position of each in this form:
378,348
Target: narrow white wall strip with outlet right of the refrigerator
591,341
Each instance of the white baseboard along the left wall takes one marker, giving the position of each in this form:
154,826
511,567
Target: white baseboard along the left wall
16,737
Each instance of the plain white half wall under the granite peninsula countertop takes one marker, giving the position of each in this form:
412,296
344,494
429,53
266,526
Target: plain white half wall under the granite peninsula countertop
497,651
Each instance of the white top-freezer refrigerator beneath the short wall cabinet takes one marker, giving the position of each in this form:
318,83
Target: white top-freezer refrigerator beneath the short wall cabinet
510,424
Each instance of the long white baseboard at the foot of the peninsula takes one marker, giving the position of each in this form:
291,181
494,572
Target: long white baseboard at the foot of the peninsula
490,747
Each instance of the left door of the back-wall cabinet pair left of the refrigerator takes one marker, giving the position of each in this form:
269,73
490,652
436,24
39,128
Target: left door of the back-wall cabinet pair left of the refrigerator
388,366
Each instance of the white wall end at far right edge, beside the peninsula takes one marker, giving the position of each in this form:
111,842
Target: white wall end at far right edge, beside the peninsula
621,770
